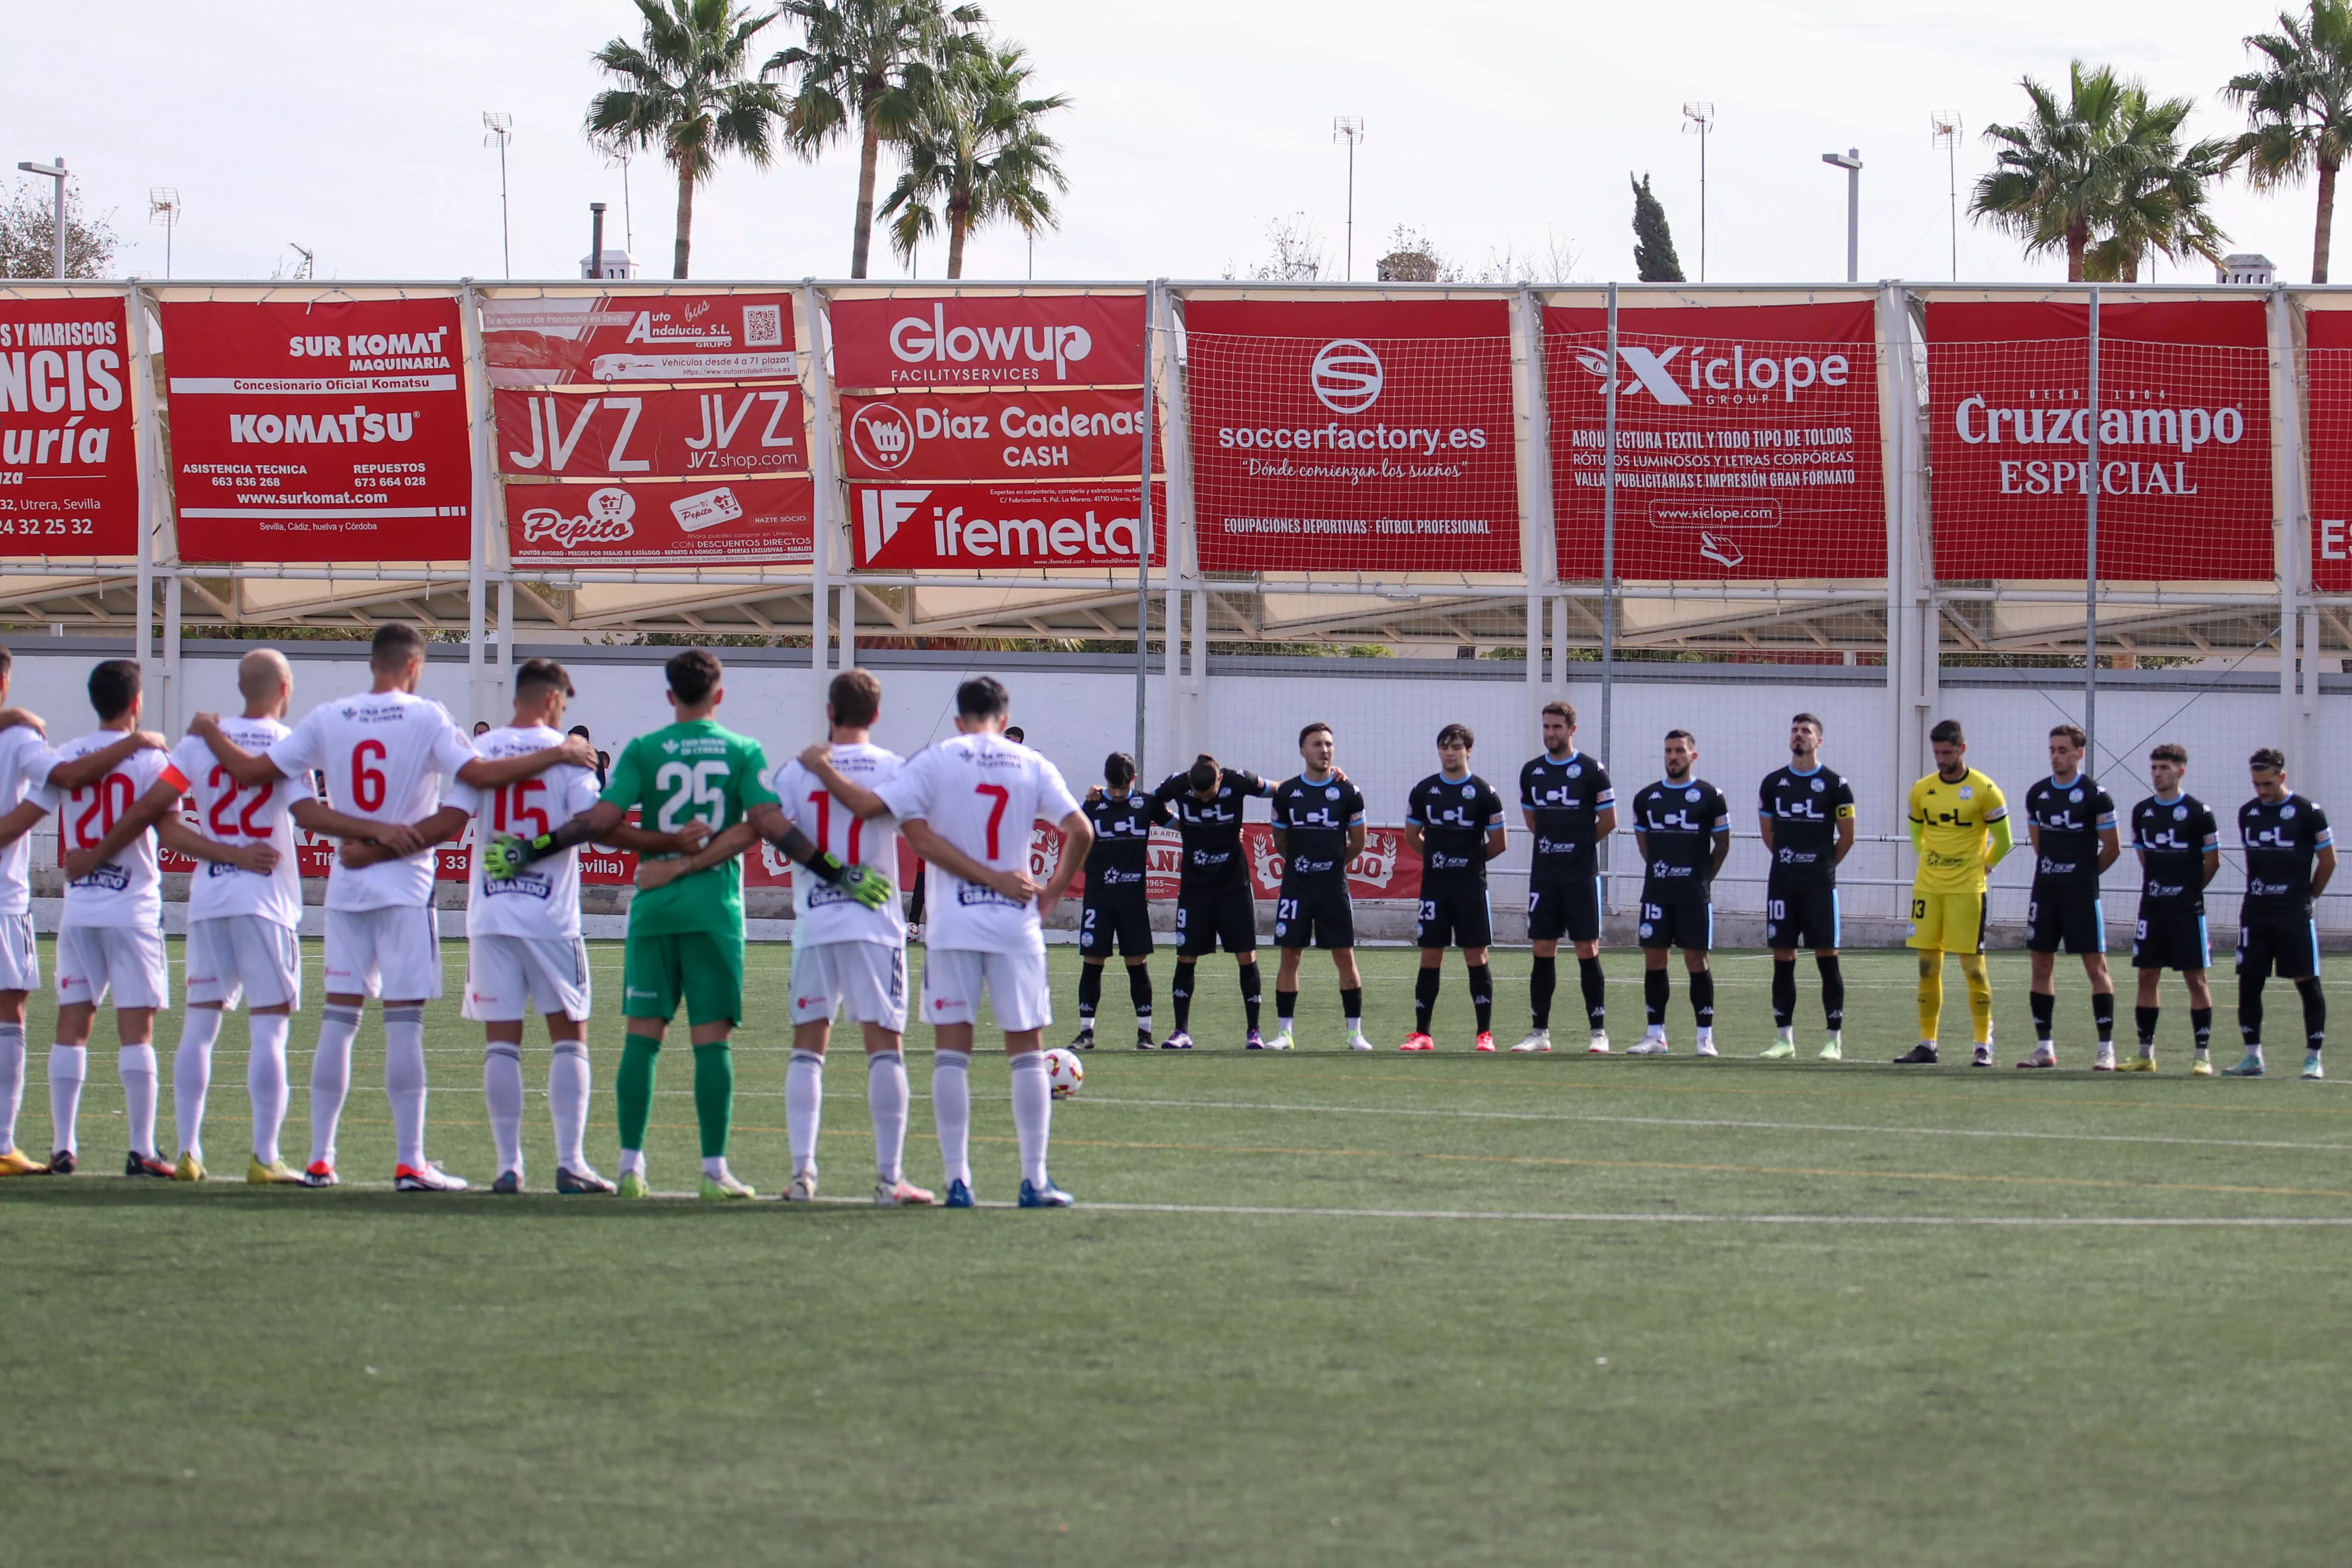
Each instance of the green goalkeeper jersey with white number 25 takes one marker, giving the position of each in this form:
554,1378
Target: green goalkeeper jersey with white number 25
676,777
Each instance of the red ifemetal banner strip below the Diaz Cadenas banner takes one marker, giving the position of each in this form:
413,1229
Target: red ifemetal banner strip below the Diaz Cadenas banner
1001,525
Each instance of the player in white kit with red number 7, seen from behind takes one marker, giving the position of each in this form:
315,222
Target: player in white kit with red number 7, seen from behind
968,808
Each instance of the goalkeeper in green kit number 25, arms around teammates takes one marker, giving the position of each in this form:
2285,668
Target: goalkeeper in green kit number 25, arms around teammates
686,937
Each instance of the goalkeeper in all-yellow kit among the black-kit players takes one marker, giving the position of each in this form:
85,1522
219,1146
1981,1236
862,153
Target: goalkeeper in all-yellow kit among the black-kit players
1960,829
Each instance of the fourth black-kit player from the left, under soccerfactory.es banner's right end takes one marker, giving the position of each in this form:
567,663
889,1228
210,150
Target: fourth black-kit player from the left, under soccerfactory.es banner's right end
1455,824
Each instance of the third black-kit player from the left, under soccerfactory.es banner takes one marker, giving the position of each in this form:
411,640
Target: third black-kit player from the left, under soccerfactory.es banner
1318,831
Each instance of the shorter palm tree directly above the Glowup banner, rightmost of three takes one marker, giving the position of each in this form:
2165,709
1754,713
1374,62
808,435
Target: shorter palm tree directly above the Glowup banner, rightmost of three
975,156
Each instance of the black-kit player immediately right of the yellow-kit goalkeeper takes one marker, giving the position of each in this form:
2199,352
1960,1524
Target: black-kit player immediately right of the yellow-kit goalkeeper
2073,833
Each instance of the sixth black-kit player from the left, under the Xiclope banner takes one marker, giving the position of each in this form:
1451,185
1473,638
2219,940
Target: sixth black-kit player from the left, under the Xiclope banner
1683,826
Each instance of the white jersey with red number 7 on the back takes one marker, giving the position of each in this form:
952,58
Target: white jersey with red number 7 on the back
980,793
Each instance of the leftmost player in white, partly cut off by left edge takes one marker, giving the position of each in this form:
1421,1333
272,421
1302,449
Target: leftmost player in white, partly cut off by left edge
27,765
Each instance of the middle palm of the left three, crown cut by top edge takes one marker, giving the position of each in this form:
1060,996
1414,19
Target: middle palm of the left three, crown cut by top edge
869,65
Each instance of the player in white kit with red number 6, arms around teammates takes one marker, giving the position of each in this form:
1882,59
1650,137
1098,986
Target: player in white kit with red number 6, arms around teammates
385,756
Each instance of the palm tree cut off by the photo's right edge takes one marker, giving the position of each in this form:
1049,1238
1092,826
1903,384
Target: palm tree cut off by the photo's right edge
2301,109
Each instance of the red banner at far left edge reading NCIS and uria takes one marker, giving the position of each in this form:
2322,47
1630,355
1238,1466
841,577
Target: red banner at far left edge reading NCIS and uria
69,462
